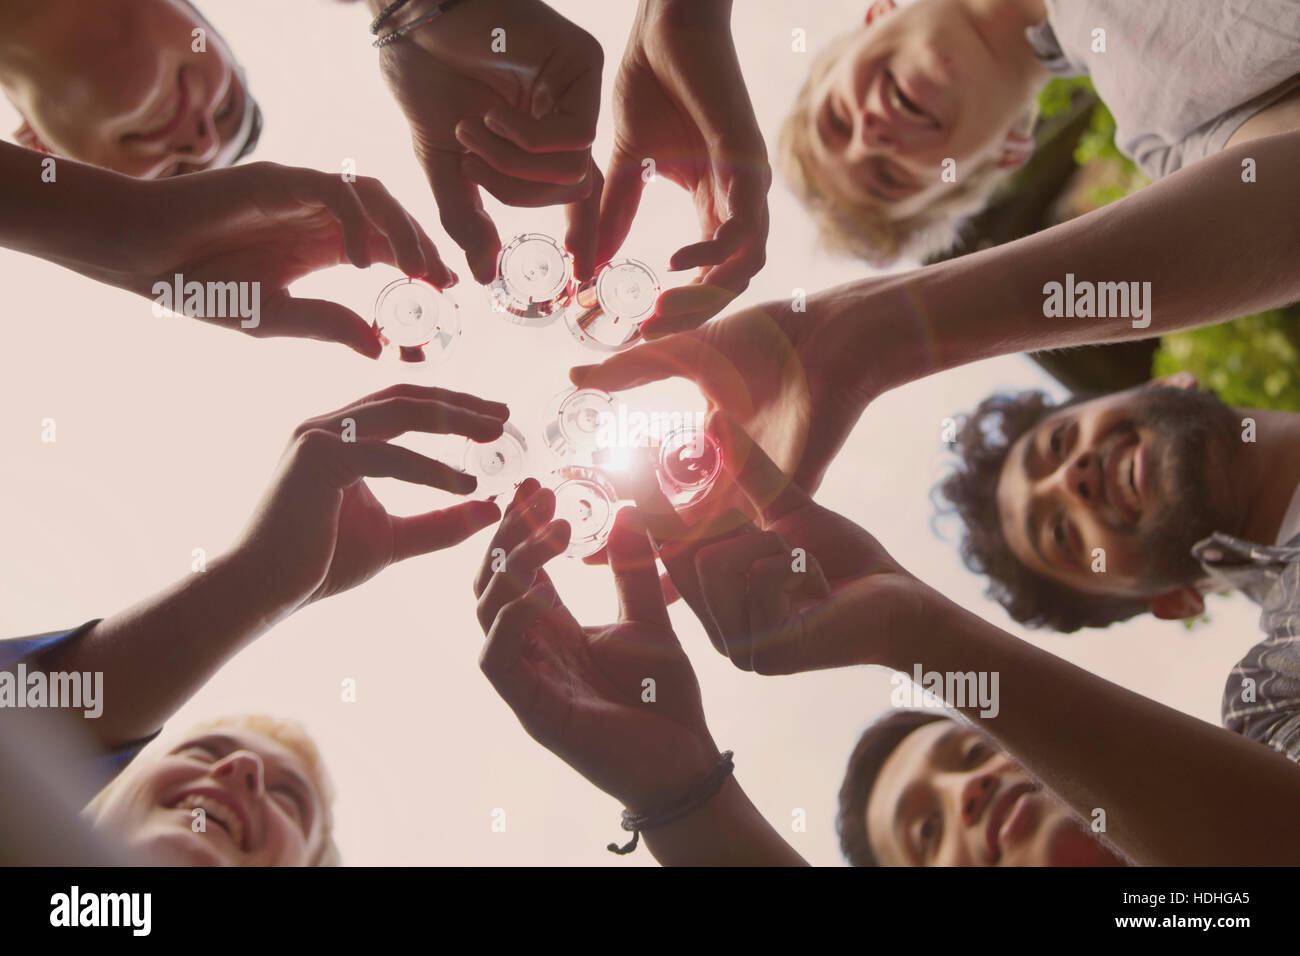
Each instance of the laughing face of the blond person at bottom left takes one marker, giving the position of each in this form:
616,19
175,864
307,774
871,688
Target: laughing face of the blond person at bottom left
259,801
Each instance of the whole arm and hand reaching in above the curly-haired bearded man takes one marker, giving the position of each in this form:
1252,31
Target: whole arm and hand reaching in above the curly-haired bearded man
1212,248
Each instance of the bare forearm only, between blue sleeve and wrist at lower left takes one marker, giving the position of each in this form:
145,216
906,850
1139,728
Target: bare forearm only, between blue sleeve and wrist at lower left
157,655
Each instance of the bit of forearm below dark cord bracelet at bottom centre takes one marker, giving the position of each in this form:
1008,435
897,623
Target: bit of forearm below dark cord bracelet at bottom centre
726,832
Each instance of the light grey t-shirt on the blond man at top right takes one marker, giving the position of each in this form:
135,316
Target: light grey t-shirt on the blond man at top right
1178,76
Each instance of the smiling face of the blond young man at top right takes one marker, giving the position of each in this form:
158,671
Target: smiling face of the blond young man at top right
916,86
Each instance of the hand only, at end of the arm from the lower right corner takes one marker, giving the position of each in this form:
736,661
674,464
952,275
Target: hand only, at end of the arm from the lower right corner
805,590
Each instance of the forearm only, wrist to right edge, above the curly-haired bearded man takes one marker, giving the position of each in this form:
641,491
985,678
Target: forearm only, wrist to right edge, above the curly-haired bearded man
1212,248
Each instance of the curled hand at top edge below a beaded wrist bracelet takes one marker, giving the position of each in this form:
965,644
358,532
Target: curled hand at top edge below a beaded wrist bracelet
501,94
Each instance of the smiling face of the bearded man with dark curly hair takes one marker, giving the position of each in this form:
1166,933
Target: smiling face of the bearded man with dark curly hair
1142,474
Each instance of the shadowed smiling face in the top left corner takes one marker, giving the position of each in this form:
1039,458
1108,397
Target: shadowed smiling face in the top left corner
127,92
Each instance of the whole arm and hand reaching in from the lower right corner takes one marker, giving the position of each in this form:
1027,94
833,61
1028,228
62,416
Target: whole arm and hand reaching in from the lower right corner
1176,790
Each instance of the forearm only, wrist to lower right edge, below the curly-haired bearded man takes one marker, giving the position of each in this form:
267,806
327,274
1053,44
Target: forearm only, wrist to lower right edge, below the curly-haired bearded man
1176,790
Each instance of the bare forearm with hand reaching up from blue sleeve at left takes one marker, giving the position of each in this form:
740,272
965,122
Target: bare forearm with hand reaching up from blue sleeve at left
319,531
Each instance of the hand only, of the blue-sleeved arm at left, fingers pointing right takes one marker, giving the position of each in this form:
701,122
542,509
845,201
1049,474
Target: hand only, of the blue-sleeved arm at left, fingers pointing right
320,530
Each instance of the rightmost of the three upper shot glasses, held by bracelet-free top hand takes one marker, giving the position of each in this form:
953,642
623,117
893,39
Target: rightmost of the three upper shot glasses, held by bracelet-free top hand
608,310
